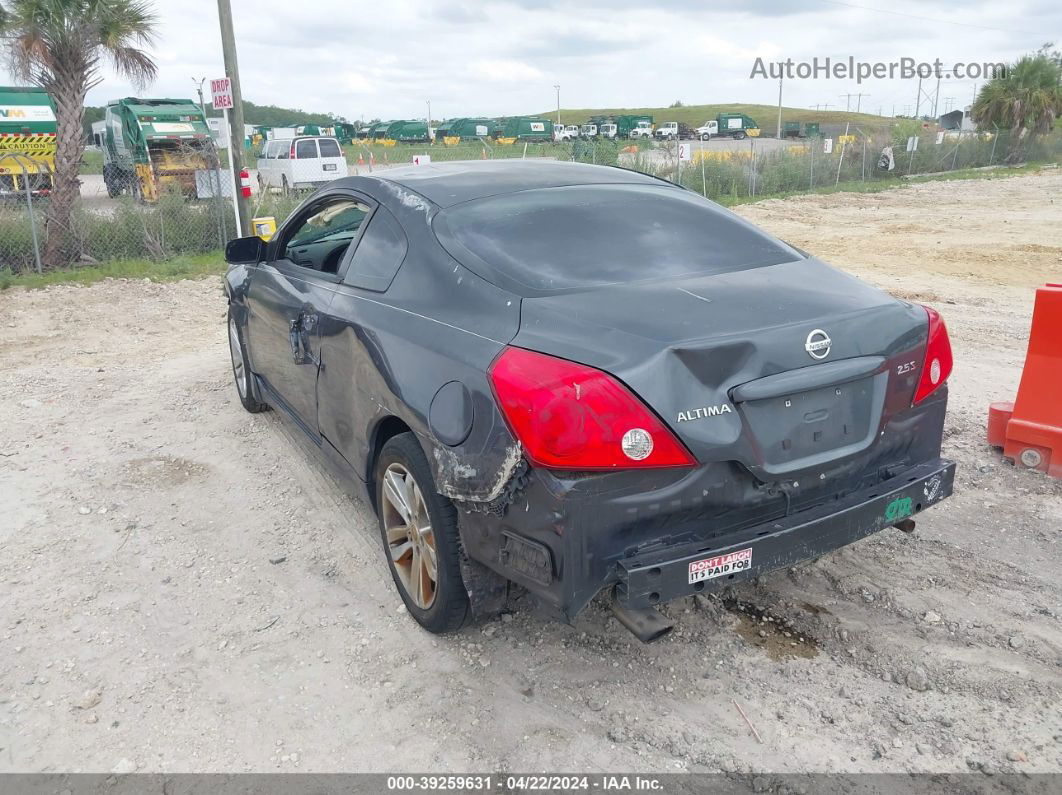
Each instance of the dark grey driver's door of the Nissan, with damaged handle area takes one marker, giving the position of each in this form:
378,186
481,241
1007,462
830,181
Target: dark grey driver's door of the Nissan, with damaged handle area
292,291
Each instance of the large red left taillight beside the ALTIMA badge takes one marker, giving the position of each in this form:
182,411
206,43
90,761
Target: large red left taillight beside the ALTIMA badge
571,417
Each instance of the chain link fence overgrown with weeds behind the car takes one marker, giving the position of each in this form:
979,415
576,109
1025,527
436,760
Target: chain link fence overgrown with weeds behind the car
193,214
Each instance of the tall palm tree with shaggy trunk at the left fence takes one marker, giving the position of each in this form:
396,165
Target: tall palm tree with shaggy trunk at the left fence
60,46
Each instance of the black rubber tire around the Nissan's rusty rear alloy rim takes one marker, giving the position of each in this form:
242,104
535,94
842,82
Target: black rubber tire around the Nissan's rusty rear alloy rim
449,609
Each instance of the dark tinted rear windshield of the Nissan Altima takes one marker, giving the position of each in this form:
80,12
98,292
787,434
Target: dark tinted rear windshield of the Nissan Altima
581,237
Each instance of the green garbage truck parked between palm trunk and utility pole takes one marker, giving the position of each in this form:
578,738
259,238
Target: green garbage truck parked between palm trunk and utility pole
156,145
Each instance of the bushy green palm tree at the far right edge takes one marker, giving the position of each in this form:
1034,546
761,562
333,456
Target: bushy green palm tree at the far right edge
1027,100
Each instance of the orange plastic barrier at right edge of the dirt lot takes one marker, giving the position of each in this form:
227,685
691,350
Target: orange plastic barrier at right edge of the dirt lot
1030,430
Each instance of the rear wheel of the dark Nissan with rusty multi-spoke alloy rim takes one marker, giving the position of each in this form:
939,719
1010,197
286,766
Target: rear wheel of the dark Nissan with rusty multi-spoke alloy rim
420,532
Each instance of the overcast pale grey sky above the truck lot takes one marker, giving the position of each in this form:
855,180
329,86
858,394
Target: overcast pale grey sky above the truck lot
504,57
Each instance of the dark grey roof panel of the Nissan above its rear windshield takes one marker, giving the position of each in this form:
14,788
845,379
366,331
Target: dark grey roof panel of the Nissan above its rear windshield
448,184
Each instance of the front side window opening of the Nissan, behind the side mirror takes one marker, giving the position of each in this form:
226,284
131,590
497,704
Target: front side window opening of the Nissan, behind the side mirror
321,239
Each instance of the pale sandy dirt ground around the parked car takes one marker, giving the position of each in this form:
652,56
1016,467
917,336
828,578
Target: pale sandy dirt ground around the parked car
183,590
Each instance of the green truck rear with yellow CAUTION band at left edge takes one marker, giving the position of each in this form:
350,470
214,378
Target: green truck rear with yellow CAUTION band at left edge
27,140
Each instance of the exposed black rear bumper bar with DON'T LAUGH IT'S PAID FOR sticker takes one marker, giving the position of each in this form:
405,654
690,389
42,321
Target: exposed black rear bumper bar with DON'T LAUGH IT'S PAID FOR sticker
655,579
